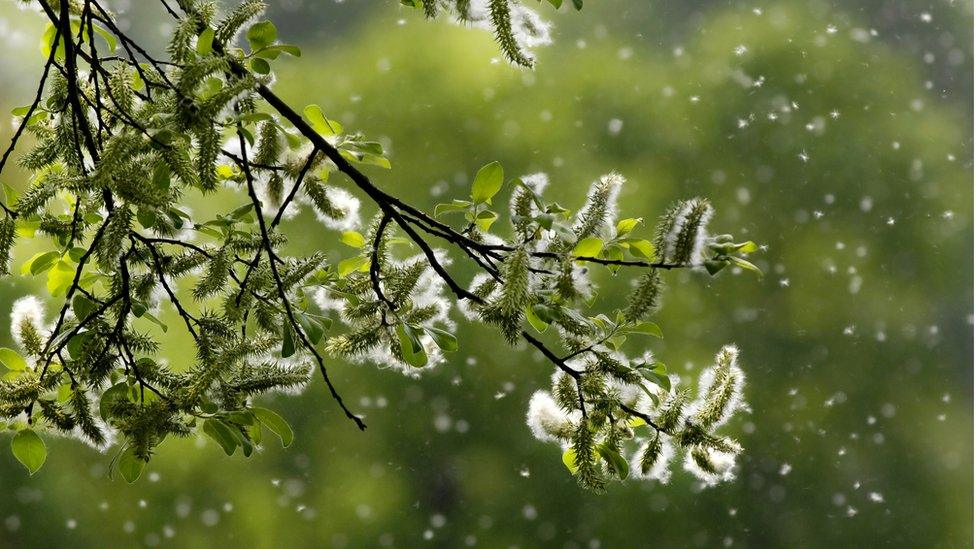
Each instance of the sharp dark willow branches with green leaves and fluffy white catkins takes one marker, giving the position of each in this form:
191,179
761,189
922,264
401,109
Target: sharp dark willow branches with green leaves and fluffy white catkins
107,205
